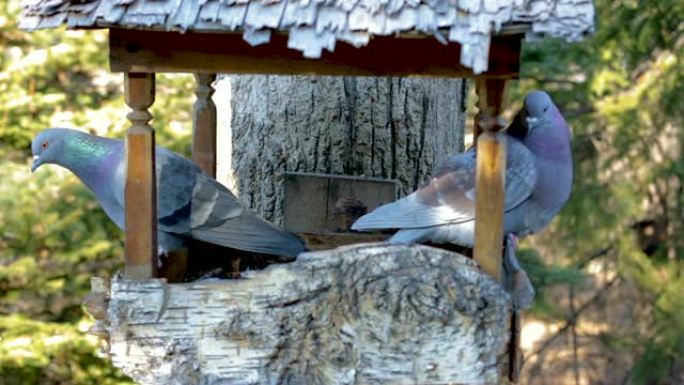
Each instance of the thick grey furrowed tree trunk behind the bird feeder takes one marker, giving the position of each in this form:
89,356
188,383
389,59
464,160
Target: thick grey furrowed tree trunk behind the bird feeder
396,128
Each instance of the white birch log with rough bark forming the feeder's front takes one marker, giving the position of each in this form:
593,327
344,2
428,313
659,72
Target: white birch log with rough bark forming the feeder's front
363,314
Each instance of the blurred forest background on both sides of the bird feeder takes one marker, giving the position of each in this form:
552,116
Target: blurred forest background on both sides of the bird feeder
609,272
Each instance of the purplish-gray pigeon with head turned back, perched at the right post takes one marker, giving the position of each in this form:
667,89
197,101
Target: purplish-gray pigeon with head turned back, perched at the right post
538,183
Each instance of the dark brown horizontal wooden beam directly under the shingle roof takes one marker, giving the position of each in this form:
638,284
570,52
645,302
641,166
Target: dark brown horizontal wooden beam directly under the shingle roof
156,51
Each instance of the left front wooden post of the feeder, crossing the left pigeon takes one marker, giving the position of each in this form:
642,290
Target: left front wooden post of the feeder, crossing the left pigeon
140,192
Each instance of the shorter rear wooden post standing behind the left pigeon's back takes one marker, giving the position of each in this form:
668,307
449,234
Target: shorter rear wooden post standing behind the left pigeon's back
204,124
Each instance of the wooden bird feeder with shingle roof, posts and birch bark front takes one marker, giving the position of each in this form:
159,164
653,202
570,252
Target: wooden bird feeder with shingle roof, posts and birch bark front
472,39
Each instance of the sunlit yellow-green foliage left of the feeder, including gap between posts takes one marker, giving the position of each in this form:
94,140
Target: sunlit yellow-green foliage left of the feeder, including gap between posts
53,235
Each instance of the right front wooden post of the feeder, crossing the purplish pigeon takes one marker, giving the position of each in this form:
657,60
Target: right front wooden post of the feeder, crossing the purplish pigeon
490,179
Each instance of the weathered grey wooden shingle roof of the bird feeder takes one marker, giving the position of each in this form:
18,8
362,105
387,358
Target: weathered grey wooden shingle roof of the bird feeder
314,25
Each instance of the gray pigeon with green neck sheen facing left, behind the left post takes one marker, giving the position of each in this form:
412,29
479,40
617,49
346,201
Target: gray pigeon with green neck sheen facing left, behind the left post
190,204
